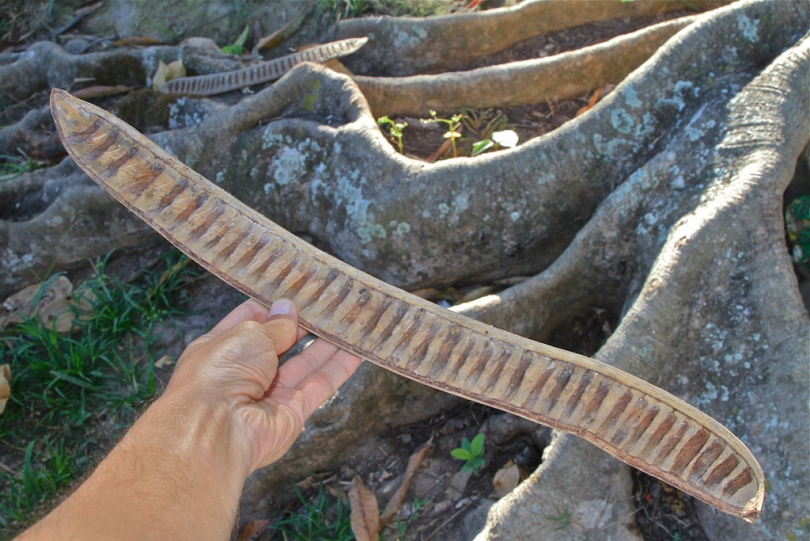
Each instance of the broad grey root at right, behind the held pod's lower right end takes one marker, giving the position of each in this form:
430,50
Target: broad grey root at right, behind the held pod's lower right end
707,288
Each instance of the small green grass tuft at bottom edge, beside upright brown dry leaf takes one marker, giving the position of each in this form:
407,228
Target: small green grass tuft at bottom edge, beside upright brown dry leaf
324,517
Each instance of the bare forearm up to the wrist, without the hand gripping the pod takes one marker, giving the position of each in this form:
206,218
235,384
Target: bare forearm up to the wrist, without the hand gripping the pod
175,475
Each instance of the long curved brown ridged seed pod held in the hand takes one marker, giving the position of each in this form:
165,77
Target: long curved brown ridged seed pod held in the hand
629,418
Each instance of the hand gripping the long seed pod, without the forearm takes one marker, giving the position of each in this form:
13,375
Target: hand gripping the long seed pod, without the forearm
235,366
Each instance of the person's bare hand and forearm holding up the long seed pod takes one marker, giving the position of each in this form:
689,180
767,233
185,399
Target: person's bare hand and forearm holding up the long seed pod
228,410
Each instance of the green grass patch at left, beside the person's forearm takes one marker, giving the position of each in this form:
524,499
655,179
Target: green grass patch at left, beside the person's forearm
74,394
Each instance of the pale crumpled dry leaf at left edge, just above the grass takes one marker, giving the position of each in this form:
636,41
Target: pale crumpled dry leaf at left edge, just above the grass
52,302
